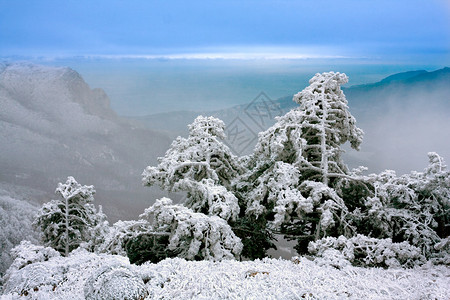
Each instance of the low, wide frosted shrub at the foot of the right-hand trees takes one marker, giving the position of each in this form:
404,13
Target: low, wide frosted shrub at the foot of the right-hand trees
361,250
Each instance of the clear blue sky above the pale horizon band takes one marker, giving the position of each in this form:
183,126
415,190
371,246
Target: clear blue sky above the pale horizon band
382,29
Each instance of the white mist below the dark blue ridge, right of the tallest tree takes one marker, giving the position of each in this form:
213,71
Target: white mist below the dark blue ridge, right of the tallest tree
402,123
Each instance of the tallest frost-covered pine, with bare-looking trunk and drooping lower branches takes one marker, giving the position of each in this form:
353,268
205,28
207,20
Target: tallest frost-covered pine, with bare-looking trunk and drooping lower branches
297,163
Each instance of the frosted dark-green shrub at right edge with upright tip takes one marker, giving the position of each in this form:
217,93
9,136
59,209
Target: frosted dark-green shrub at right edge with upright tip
413,207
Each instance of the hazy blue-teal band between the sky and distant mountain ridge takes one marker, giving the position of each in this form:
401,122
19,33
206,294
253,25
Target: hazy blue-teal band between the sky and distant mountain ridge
145,86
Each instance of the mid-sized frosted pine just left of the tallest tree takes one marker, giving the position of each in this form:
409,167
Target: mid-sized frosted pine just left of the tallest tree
204,167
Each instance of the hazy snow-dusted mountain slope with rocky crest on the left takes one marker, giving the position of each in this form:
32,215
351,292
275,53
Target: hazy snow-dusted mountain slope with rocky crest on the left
53,125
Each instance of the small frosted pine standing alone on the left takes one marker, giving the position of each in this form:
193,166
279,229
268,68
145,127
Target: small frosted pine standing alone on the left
66,223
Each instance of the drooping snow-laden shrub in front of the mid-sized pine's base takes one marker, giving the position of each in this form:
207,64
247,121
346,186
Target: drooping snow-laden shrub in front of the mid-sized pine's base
193,235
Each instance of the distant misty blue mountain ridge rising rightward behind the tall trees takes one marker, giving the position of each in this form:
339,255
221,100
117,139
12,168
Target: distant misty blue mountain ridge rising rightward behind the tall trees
405,115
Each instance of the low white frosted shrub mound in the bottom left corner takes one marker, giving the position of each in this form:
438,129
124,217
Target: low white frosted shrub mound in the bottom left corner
42,273
